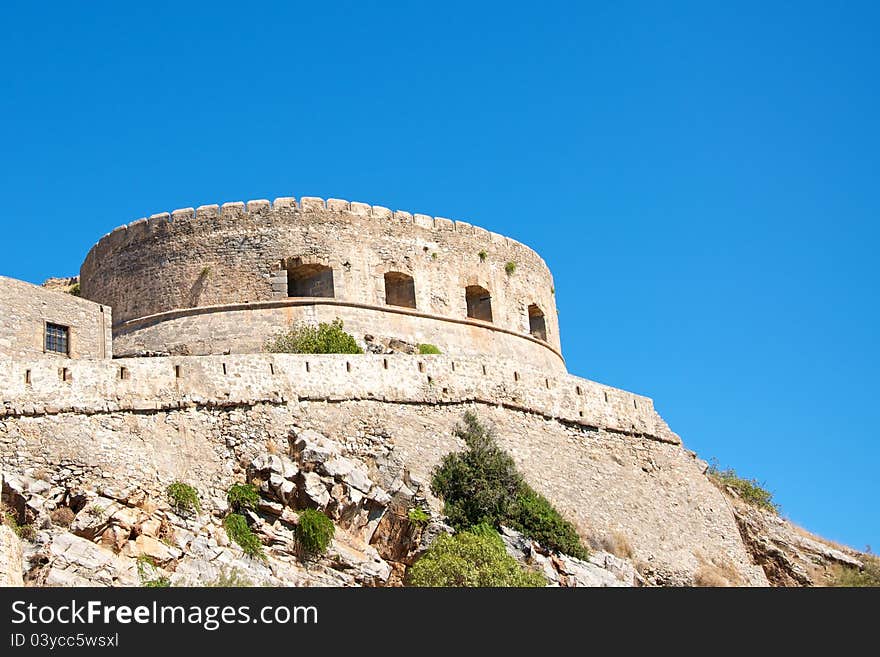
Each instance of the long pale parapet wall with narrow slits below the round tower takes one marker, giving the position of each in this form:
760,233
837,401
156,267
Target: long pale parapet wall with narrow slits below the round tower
150,384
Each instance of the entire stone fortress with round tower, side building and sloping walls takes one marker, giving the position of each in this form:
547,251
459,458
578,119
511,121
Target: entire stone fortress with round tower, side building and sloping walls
141,379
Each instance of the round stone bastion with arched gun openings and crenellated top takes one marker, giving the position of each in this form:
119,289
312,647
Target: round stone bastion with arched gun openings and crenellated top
247,270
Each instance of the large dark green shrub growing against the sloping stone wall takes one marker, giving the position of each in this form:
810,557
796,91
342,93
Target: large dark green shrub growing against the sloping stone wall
482,485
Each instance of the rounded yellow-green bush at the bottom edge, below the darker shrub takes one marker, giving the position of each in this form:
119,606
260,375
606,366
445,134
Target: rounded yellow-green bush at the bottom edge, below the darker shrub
471,558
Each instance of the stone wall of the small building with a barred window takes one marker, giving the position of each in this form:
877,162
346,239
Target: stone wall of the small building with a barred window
25,309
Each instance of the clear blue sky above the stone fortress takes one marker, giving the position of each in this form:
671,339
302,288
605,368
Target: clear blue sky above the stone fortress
703,178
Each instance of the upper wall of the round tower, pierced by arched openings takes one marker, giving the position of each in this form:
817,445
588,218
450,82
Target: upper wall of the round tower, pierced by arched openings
241,253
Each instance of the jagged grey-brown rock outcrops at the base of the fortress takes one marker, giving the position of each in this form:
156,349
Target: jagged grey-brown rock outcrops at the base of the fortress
99,535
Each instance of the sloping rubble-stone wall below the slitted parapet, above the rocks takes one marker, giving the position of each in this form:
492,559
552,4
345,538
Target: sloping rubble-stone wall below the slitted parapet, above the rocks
653,493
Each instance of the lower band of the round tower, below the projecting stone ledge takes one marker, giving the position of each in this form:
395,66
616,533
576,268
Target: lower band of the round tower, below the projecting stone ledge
245,329
